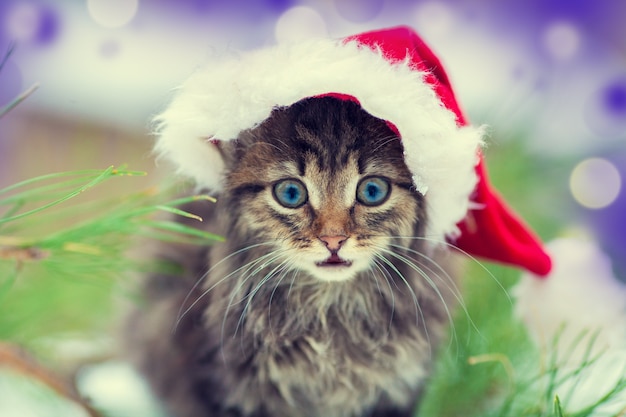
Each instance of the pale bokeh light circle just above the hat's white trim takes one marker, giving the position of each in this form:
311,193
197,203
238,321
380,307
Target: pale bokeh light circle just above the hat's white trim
299,23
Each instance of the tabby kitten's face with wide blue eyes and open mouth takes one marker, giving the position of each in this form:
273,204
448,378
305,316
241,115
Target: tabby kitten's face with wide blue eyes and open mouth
325,184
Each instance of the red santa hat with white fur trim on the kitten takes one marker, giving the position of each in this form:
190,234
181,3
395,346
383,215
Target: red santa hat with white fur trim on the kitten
394,76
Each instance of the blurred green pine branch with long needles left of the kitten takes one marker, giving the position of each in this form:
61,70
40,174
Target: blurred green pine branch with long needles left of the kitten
61,258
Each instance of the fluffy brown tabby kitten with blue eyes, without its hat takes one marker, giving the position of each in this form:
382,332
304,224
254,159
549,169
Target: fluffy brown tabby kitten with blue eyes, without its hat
324,300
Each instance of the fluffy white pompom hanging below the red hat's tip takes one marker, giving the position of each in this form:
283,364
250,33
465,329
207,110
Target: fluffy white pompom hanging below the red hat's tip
579,317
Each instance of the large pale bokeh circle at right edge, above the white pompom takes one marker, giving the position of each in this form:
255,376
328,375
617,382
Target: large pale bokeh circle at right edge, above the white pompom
595,183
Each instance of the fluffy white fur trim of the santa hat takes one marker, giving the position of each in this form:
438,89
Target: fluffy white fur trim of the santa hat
235,94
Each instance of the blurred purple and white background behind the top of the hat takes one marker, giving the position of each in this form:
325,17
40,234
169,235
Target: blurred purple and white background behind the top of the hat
554,70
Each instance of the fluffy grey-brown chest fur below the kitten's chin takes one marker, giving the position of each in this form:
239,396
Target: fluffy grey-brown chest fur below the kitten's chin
318,351
